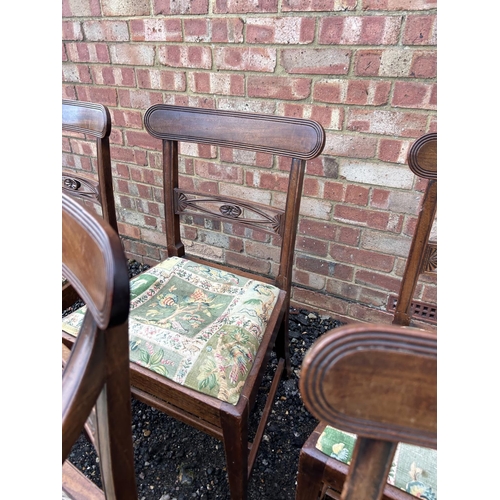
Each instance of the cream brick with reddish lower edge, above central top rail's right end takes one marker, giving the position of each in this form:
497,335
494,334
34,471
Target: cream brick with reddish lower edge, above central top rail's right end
331,61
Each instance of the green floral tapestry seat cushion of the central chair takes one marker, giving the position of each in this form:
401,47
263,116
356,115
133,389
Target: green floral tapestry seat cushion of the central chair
196,325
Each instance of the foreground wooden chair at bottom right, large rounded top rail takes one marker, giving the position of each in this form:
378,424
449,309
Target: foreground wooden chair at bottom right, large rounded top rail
377,384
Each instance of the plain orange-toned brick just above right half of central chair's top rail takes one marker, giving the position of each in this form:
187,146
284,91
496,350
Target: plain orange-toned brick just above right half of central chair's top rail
276,87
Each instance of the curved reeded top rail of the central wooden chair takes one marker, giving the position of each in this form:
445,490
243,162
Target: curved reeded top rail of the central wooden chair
294,137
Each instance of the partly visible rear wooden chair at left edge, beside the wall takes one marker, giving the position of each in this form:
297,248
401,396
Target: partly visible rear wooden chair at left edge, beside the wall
94,121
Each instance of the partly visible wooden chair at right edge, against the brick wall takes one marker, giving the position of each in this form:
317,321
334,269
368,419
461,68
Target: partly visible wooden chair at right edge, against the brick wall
422,259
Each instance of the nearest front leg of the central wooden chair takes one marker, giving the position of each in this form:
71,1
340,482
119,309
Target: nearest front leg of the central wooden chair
235,433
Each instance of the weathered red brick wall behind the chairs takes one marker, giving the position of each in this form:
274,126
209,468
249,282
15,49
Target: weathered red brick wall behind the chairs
364,69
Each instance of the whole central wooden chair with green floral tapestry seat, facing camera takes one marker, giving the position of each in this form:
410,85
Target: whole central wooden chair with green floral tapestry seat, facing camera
201,332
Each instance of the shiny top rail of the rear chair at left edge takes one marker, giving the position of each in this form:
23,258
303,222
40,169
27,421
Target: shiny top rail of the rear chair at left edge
86,117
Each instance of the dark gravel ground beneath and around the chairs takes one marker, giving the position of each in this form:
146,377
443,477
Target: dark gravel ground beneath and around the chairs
176,462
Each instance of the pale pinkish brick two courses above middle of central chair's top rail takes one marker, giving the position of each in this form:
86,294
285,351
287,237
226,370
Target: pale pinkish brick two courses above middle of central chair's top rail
245,59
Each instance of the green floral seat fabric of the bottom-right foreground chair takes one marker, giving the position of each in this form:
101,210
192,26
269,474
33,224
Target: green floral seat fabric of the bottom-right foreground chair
414,469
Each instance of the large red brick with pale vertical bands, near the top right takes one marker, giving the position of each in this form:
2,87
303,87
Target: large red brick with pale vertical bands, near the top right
359,30
